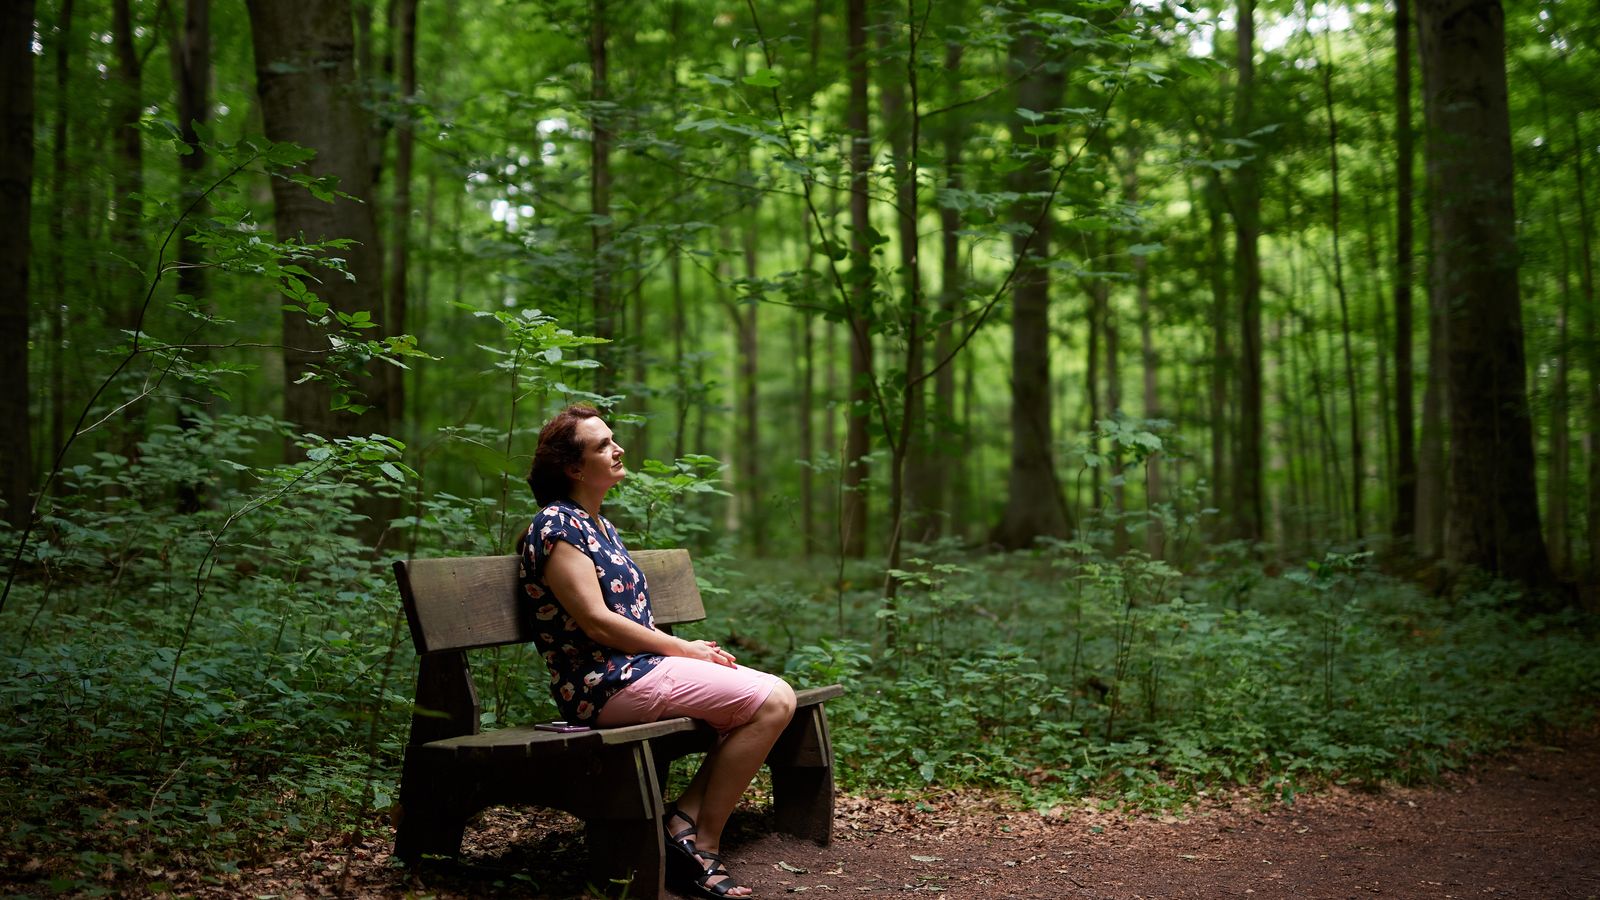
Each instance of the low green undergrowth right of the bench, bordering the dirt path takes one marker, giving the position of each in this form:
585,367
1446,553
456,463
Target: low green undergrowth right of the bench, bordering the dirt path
1129,681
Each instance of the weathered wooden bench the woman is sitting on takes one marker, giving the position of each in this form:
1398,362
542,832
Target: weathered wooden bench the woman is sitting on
612,779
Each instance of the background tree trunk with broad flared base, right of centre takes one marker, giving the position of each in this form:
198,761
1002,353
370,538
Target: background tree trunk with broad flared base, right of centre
1033,496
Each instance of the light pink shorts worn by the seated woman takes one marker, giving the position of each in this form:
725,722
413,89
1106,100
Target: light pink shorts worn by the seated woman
679,686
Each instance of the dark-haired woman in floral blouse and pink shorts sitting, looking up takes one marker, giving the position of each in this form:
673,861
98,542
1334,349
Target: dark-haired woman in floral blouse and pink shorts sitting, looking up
610,667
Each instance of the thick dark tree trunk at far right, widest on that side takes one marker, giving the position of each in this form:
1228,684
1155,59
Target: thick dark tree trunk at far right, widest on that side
1494,515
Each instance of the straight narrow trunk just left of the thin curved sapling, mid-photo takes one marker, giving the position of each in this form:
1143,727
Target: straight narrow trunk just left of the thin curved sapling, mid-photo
854,516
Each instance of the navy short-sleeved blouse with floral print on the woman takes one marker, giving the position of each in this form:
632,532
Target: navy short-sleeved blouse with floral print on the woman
583,673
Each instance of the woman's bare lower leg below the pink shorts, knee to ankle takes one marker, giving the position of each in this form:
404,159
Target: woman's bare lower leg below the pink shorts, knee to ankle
729,769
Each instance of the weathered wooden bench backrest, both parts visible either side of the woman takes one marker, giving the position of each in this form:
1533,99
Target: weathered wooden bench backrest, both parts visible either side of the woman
470,603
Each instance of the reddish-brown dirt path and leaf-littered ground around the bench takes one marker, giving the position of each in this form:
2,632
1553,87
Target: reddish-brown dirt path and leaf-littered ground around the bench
1522,826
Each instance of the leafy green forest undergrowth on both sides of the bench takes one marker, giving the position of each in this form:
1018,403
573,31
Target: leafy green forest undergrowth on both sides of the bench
201,689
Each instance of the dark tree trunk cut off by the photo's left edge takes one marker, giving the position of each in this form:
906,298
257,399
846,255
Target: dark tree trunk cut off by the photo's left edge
17,201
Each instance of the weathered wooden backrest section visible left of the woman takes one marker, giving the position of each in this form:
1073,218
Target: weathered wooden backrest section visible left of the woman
463,605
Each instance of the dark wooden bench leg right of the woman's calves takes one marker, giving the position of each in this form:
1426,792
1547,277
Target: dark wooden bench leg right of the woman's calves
802,765
